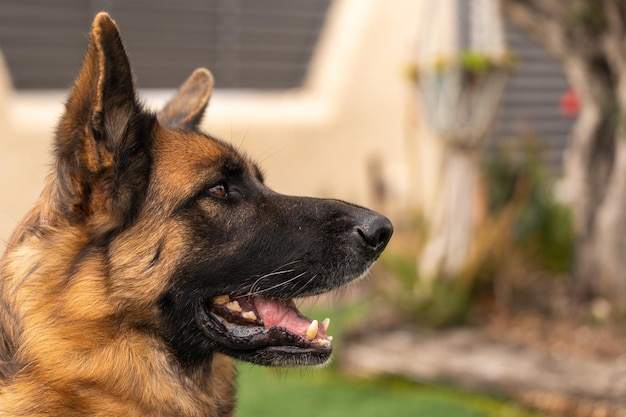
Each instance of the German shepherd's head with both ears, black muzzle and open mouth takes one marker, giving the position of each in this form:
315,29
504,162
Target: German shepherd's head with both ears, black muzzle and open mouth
197,249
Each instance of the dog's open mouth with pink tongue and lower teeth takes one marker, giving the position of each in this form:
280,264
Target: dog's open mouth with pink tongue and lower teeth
251,324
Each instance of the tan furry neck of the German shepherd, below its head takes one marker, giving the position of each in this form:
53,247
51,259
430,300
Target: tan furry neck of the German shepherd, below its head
102,366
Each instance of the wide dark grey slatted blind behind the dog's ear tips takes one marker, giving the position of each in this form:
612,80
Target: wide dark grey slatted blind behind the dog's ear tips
246,43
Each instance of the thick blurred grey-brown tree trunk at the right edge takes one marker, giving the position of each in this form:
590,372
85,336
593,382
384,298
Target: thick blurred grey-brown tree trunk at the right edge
588,37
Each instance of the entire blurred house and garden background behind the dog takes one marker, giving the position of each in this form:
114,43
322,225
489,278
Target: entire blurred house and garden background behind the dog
490,132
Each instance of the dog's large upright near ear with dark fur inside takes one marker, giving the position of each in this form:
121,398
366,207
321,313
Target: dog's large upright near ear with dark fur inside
102,157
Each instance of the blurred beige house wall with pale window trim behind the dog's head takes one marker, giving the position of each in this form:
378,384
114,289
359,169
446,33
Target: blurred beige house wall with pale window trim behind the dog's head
317,140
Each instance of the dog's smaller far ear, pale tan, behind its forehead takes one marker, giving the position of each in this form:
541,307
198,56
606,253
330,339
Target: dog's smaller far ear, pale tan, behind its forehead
186,108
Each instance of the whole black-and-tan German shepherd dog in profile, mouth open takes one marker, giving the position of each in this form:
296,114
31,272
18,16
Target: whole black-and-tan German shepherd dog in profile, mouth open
156,255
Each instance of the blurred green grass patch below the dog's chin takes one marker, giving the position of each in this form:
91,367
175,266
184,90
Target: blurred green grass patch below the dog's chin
308,393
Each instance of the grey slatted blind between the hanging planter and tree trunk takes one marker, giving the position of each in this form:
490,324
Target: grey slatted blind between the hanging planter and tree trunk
530,104
